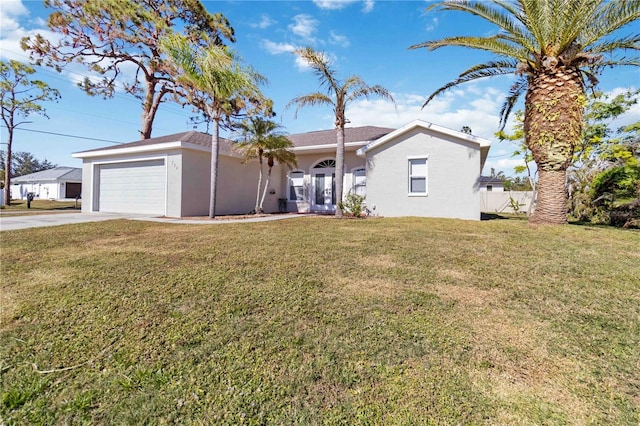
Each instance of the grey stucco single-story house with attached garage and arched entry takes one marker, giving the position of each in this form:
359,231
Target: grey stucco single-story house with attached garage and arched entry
420,169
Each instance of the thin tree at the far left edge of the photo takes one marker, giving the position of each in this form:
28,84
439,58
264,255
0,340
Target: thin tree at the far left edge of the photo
20,97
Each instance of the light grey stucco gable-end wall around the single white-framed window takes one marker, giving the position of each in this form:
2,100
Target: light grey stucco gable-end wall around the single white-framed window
453,168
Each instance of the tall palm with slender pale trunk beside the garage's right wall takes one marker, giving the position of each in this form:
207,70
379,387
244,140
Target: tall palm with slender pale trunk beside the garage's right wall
217,84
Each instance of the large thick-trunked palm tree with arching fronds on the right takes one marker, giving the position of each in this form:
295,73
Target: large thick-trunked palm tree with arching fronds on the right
556,48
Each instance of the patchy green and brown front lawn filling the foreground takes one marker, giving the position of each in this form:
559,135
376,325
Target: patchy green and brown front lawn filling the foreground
320,321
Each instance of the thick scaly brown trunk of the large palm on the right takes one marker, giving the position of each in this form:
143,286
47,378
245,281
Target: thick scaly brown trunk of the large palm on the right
553,128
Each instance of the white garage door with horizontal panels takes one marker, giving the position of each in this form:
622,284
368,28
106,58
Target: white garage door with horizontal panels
136,187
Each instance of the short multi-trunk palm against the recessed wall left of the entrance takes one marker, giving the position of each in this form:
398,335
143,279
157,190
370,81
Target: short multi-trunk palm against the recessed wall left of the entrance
262,140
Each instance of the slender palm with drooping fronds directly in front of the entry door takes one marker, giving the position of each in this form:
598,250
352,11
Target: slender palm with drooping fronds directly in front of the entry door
339,95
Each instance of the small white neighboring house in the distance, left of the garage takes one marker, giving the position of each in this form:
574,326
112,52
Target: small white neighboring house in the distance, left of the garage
58,183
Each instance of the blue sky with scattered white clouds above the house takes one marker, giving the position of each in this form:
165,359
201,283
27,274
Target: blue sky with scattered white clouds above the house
365,38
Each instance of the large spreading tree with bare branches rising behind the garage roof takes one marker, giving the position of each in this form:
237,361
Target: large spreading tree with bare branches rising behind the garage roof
109,37
